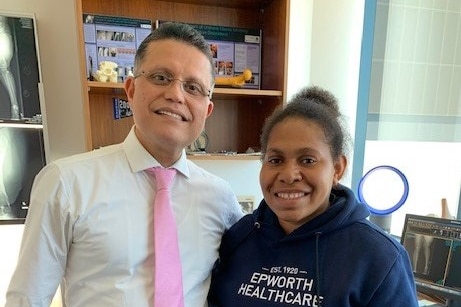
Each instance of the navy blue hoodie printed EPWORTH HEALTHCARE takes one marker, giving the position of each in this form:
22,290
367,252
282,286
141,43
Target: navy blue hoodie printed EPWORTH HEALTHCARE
337,259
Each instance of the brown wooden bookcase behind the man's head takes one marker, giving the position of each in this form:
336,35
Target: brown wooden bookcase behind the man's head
239,114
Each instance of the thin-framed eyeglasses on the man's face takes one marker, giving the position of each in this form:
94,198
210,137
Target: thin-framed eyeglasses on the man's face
193,88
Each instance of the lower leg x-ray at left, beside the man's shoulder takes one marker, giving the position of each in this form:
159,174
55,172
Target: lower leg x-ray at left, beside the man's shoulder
21,158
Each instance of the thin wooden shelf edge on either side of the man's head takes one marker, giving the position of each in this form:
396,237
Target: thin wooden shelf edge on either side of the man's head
94,86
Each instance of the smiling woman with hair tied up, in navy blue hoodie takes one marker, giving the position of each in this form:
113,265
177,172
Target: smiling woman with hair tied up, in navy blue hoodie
309,243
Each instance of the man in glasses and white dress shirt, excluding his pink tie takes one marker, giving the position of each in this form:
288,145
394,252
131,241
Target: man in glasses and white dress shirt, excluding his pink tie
90,218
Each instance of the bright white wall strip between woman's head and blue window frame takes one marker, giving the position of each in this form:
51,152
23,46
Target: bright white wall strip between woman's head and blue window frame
335,55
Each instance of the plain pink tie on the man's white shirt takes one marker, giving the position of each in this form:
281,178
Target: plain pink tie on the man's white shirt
168,275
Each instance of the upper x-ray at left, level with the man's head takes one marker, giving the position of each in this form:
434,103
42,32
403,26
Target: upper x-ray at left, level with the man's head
19,77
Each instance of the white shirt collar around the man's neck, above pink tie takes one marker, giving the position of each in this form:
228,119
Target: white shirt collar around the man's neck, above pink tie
140,159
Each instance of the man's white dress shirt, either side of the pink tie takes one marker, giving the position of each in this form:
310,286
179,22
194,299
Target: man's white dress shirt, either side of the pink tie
90,221
